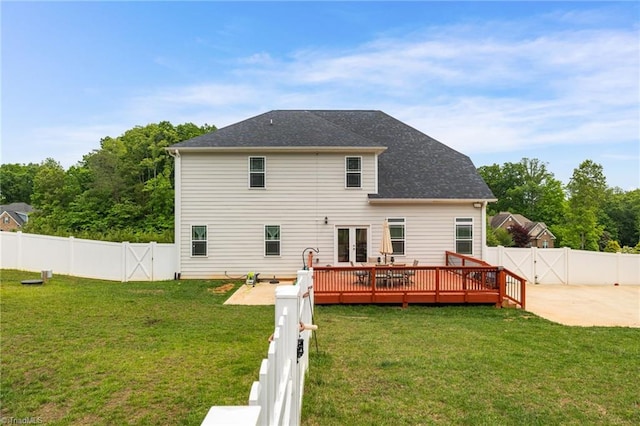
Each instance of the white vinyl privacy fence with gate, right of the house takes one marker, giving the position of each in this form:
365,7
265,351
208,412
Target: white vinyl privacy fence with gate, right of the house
567,266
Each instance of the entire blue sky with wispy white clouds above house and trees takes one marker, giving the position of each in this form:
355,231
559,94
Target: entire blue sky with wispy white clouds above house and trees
498,81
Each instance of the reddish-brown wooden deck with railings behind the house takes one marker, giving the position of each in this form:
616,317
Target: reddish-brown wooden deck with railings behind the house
459,283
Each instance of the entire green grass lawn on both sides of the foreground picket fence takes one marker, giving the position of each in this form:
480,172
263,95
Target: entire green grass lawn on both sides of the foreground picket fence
79,351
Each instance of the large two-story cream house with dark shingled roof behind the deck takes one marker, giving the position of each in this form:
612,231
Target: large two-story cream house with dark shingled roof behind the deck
254,195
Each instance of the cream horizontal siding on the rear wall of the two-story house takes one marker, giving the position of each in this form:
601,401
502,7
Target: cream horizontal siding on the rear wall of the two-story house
303,189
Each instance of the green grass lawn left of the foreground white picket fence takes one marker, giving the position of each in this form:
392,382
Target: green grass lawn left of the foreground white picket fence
80,351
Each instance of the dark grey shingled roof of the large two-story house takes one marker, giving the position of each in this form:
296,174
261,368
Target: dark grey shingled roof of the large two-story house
414,166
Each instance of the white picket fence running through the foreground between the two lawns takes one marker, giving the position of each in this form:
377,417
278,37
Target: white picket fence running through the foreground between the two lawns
276,399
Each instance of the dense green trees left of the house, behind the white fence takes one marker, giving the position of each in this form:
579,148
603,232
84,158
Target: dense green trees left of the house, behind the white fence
123,191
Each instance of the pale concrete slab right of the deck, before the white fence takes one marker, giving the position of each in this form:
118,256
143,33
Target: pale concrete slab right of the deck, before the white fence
586,305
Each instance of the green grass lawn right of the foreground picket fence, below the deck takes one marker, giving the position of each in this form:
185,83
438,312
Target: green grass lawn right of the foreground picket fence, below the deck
471,365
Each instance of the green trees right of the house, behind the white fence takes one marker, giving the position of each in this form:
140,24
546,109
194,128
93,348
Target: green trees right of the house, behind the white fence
584,214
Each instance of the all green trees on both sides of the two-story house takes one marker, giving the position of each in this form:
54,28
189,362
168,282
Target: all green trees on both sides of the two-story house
124,191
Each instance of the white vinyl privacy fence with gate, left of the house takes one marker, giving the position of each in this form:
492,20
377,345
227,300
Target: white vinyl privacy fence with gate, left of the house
86,258
